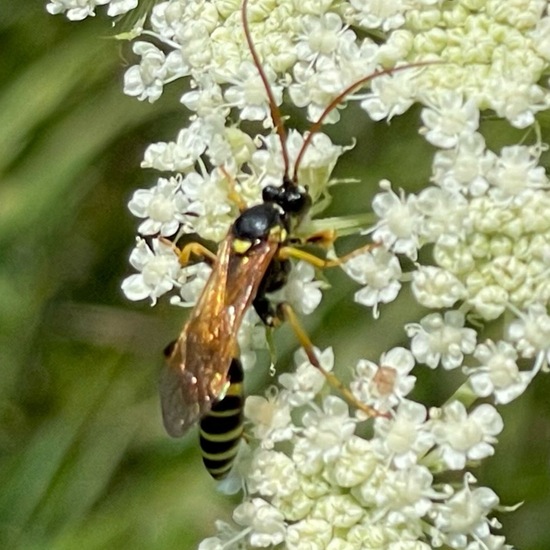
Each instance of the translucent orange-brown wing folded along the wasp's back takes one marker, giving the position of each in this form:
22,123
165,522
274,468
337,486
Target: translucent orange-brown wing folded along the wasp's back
196,367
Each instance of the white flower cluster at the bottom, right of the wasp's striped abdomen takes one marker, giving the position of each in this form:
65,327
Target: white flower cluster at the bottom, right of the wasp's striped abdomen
331,488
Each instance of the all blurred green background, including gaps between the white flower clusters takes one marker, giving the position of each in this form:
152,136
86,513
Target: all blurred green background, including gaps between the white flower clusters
84,461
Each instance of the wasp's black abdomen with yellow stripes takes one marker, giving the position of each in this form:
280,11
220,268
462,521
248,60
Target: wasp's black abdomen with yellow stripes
222,428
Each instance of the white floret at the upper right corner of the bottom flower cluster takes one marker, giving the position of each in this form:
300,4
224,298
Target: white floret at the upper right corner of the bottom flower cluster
462,437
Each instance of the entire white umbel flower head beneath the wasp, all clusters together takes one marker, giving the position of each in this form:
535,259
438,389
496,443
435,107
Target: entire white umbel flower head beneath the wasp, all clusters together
472,244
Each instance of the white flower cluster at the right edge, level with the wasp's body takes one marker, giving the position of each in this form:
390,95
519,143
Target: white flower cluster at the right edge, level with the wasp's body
485,219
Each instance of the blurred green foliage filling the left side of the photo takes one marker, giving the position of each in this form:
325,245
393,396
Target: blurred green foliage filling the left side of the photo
84,462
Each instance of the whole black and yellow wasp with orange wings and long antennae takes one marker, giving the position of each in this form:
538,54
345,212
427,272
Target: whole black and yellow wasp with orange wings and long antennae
202,367
